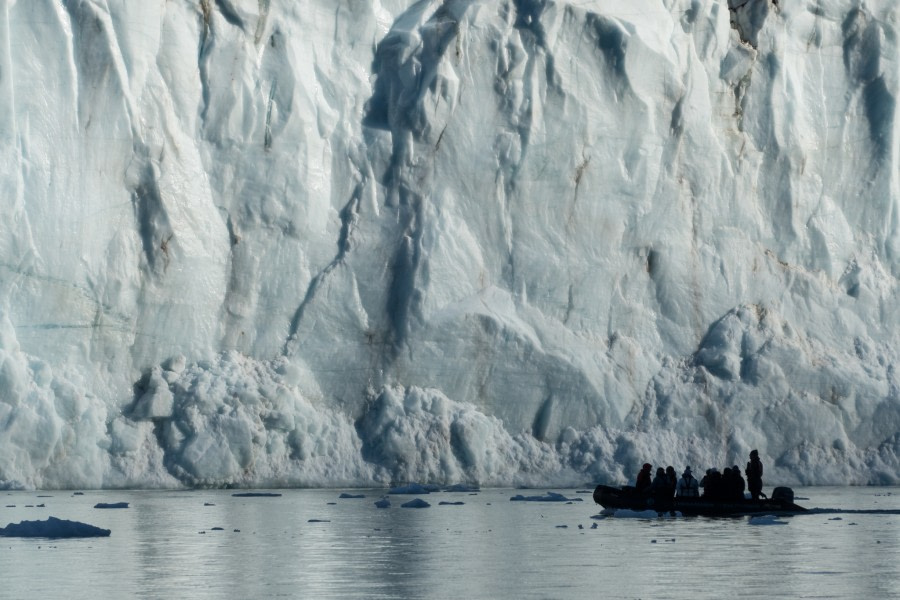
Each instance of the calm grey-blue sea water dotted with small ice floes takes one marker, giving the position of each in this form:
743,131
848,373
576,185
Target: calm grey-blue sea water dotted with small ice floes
164,546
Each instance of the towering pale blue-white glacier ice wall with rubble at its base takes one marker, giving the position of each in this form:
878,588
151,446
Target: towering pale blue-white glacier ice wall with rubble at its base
258,242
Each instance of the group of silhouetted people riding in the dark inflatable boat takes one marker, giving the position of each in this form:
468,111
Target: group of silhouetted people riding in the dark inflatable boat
727,485
